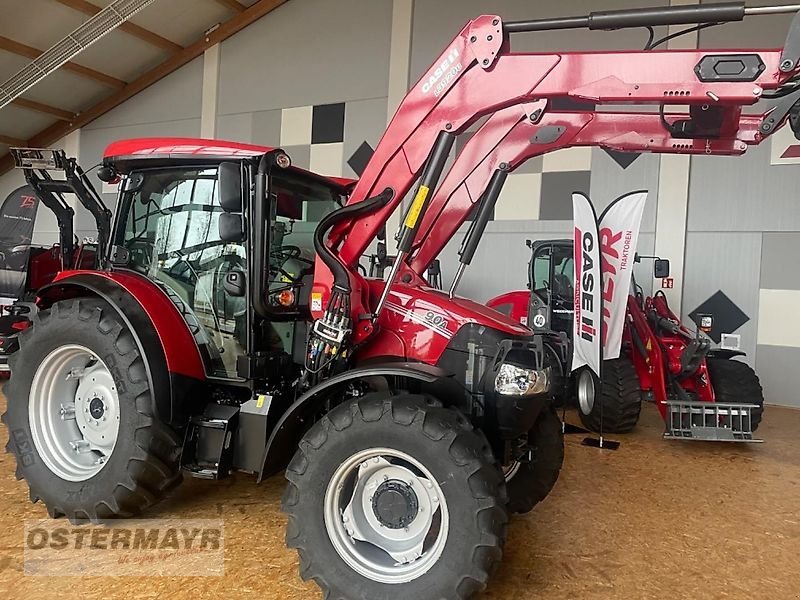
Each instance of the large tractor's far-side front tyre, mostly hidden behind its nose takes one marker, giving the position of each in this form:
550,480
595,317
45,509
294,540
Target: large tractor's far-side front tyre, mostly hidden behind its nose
530,481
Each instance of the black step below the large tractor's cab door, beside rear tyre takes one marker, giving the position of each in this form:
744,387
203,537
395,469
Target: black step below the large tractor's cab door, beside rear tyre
207,446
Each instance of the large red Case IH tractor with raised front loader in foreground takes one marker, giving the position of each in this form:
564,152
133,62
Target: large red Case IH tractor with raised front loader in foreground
200,343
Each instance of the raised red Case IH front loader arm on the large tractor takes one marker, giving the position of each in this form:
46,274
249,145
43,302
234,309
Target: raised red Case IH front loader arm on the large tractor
477,75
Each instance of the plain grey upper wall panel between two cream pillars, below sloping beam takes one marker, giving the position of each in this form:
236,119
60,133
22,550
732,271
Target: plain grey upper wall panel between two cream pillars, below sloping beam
306,53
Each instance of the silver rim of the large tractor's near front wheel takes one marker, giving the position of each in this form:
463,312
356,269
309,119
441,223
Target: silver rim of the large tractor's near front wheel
387,554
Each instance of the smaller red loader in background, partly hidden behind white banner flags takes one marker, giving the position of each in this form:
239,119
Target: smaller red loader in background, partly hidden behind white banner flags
700,392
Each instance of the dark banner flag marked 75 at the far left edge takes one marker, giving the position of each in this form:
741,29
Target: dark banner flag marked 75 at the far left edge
17,217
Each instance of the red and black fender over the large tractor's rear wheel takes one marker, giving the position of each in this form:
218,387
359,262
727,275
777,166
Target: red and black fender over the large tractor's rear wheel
161,335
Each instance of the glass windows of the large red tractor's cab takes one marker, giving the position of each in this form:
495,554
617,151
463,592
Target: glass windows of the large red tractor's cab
169,227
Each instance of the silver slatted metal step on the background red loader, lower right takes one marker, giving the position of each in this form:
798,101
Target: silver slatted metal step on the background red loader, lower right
710,421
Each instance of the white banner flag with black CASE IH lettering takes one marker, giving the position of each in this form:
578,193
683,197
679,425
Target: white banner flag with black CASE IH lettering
588,301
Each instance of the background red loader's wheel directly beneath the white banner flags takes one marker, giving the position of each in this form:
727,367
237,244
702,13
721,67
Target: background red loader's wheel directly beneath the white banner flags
613,404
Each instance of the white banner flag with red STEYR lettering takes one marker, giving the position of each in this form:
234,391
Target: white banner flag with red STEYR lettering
619,233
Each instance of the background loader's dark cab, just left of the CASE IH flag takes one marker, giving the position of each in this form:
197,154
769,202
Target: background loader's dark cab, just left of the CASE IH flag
550,279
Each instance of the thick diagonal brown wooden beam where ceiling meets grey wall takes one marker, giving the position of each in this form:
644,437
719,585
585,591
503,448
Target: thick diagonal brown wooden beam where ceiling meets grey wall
233,25
